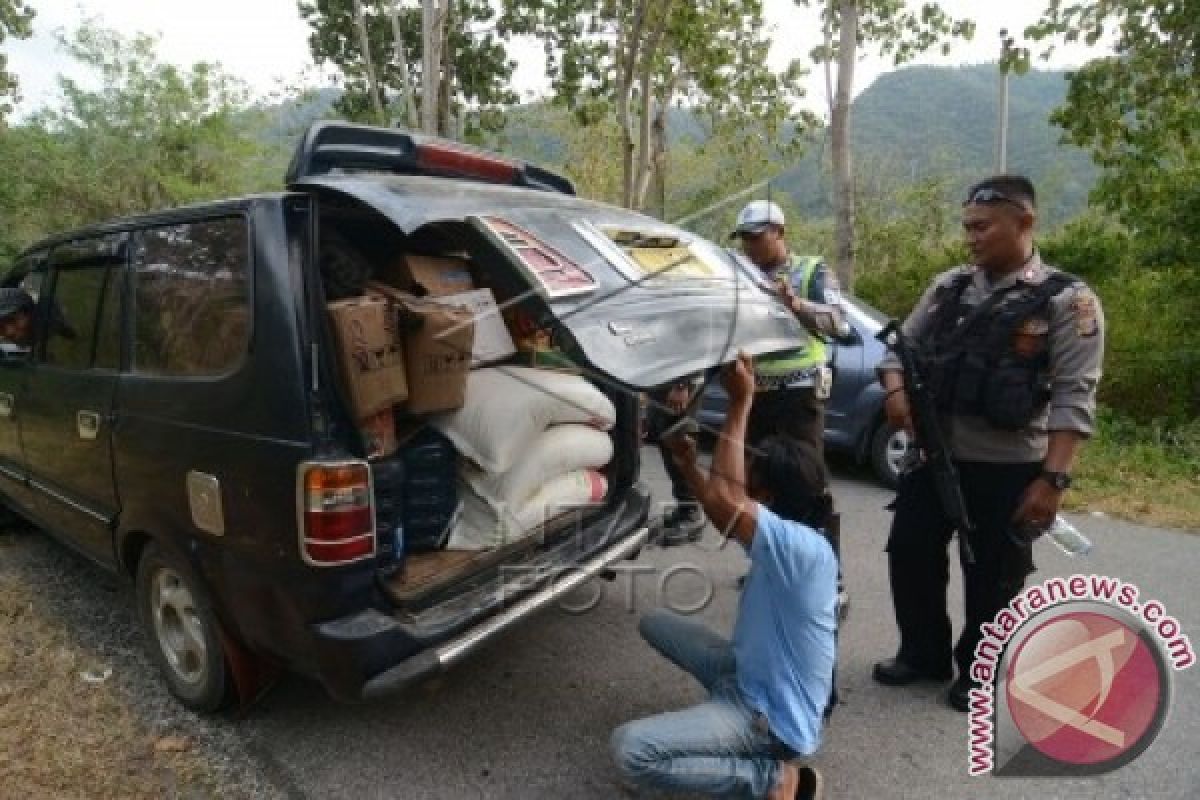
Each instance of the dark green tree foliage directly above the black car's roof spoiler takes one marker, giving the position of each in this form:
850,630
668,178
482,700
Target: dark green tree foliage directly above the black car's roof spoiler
479,61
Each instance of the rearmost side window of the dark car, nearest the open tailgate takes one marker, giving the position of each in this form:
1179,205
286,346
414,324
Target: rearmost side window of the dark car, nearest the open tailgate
193,298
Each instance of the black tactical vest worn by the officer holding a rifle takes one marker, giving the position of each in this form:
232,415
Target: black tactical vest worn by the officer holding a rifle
993,360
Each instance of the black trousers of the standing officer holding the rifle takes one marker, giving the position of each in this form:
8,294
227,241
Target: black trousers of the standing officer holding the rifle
920,567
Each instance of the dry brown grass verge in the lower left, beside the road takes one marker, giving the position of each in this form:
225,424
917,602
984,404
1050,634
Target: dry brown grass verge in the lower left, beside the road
65,737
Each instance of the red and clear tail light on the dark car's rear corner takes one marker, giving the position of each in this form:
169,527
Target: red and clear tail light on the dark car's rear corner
337,513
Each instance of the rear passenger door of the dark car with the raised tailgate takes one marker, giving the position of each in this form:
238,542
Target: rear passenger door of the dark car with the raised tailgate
67,412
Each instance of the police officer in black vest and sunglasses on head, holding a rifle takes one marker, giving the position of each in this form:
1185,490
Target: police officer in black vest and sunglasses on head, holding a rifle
1015,350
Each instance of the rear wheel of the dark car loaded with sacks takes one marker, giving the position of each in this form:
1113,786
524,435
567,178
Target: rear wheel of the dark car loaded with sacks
182,631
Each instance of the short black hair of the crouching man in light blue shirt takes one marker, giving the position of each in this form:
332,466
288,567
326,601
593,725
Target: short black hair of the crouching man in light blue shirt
795,476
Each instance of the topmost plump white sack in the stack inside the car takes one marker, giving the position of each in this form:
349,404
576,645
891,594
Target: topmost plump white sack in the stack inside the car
508,407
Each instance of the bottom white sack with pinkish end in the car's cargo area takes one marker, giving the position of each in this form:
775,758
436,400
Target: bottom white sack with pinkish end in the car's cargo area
483,526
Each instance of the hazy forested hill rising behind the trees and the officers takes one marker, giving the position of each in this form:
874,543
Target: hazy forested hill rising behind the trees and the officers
911,124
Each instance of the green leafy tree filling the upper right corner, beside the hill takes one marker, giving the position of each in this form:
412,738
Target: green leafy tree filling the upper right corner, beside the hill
1138,113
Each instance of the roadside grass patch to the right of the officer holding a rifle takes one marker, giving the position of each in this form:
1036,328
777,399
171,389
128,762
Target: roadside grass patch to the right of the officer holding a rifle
1144,473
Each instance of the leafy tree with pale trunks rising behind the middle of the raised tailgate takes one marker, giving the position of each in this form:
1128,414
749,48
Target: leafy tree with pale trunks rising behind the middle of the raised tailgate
632,61
